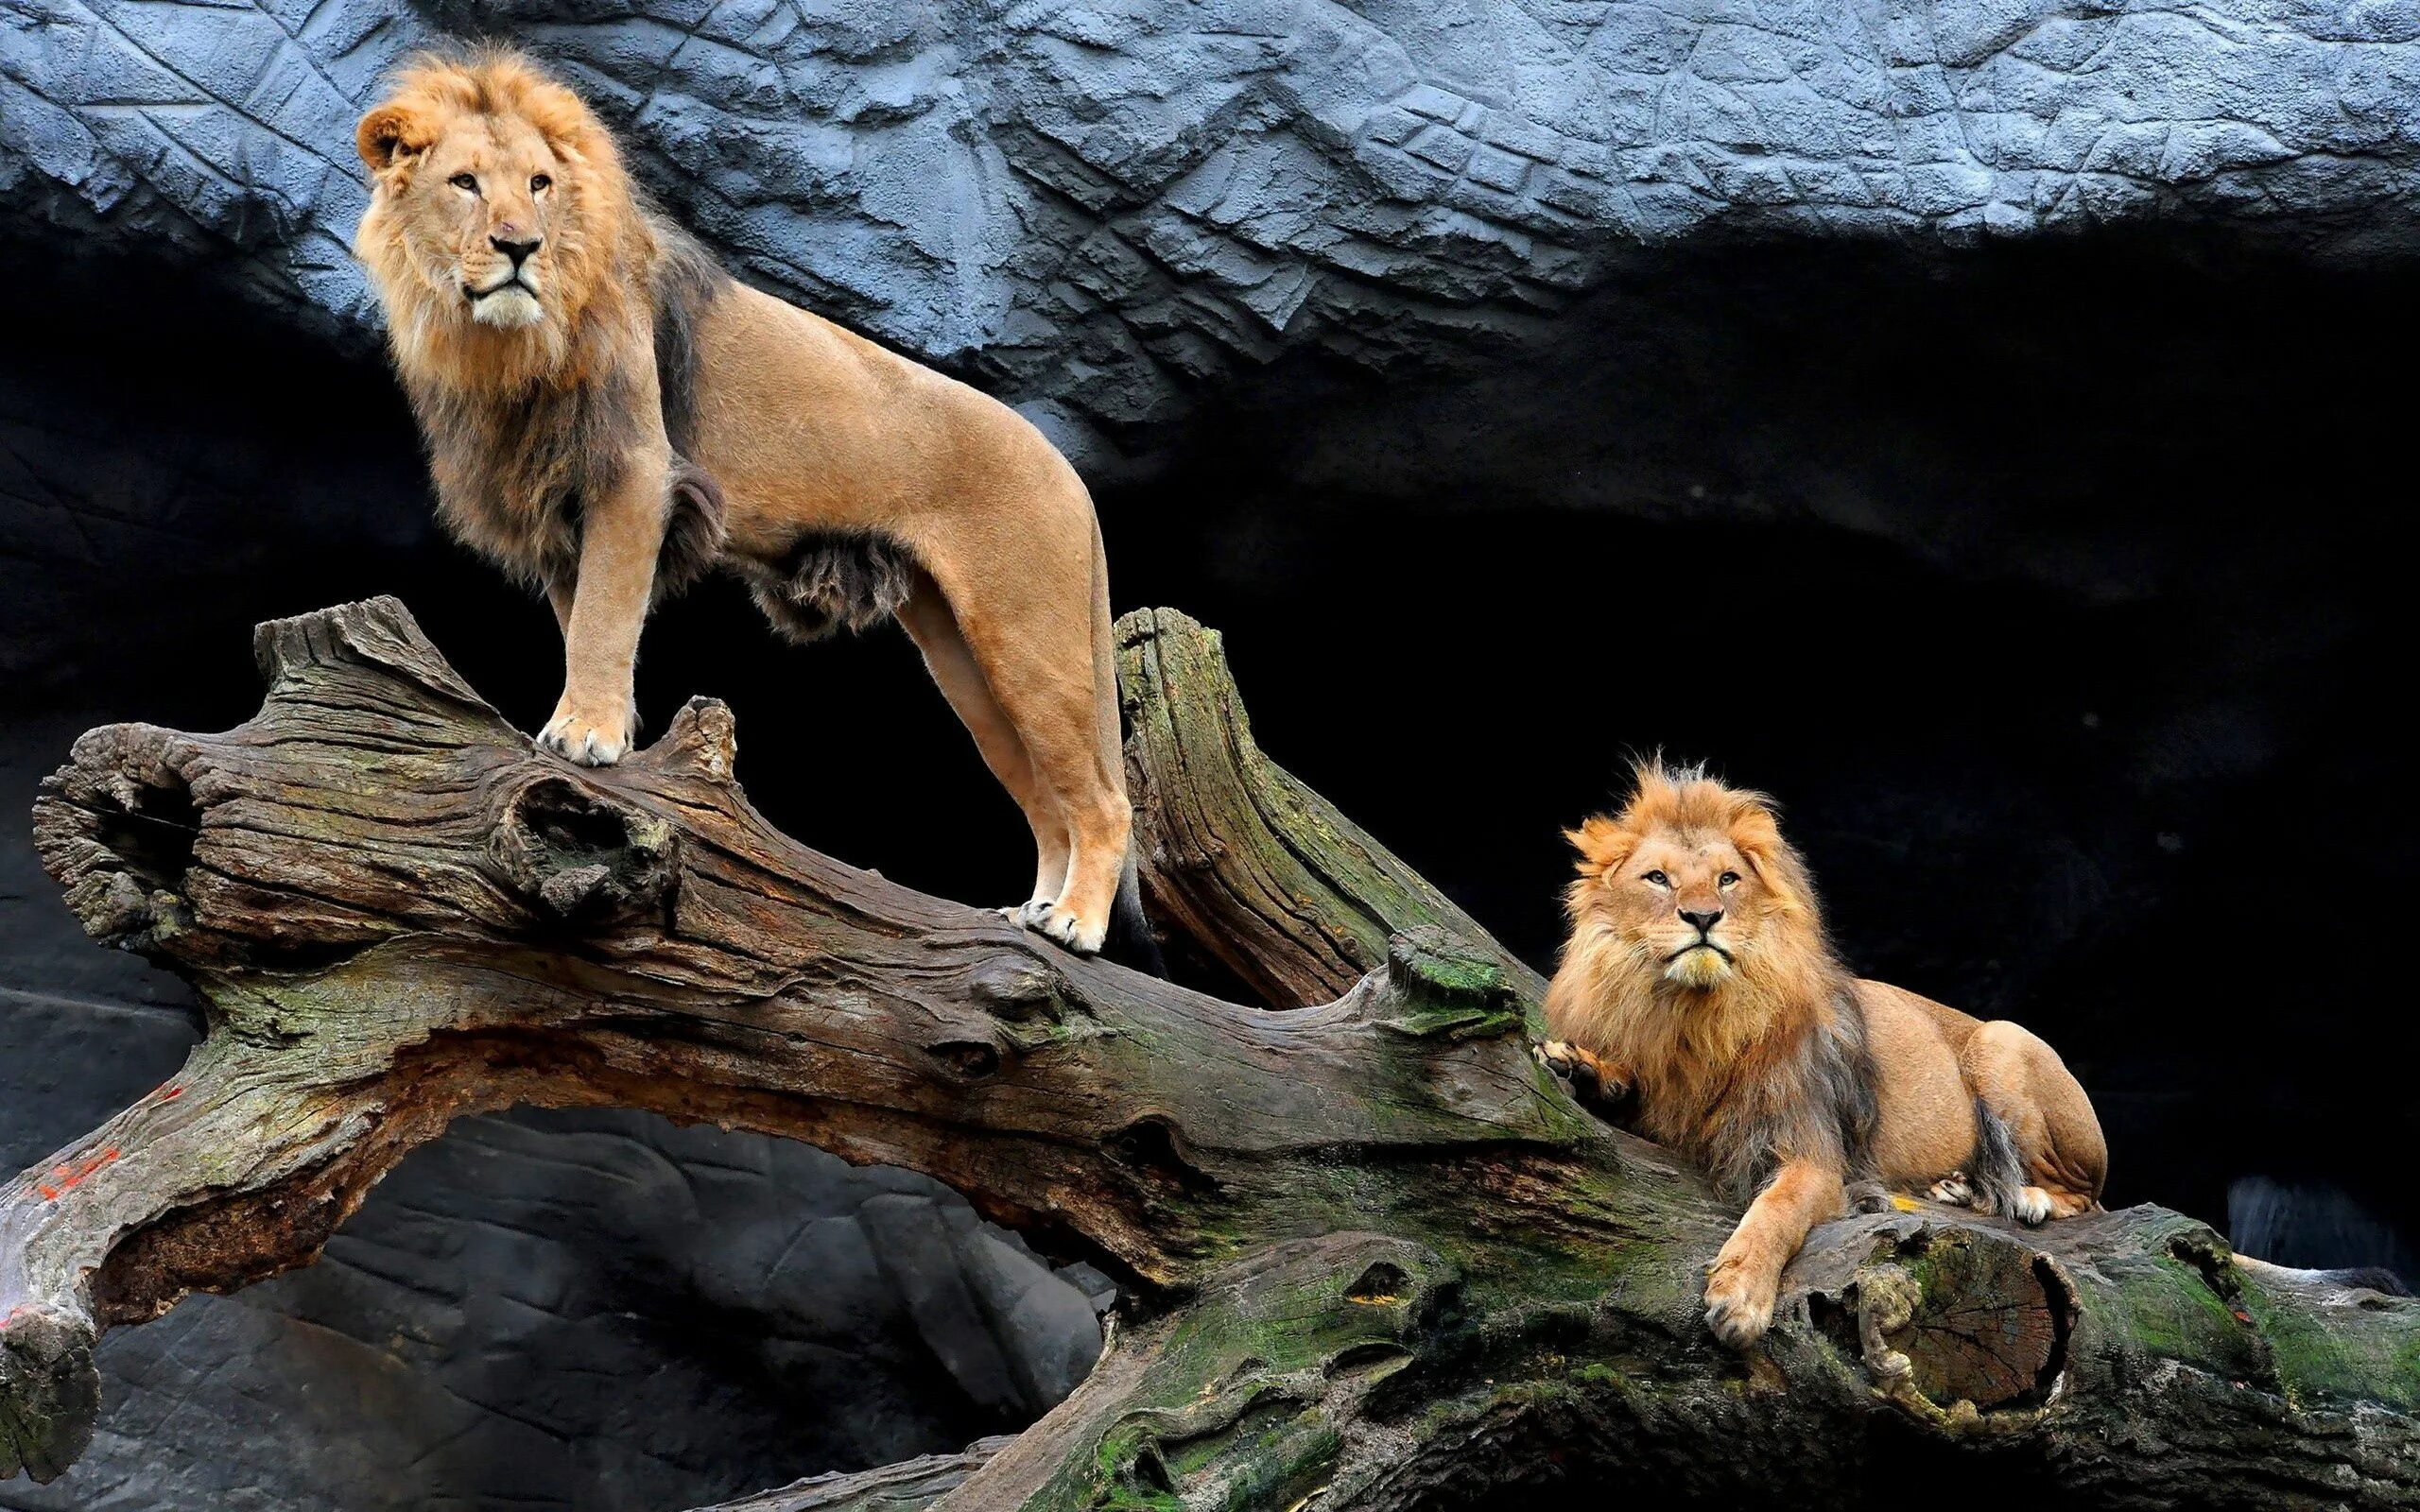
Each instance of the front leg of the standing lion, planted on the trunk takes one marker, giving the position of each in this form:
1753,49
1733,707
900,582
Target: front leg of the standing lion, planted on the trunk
621,538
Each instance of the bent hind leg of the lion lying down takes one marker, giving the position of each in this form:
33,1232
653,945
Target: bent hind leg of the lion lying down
2056,1158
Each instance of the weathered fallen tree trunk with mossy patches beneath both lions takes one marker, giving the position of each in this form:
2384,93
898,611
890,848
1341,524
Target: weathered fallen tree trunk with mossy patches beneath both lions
1376,1257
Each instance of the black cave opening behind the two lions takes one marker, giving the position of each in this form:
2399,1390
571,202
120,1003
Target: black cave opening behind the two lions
2053,589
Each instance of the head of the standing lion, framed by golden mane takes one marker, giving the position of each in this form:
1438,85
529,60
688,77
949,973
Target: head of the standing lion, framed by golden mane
495,202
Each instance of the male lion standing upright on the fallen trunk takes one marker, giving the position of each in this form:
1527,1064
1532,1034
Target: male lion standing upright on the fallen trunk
609,415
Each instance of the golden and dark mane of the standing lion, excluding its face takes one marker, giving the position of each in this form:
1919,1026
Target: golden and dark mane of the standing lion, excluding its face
524,425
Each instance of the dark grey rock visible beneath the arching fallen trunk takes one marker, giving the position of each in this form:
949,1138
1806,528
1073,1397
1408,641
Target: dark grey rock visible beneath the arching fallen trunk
582,1312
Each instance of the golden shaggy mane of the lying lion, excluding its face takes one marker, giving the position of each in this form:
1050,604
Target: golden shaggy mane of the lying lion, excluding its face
1768,1061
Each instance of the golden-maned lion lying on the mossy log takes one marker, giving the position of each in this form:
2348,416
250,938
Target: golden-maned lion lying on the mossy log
1698,986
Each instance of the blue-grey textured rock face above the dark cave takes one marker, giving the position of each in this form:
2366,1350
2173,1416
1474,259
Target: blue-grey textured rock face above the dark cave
1100,204
